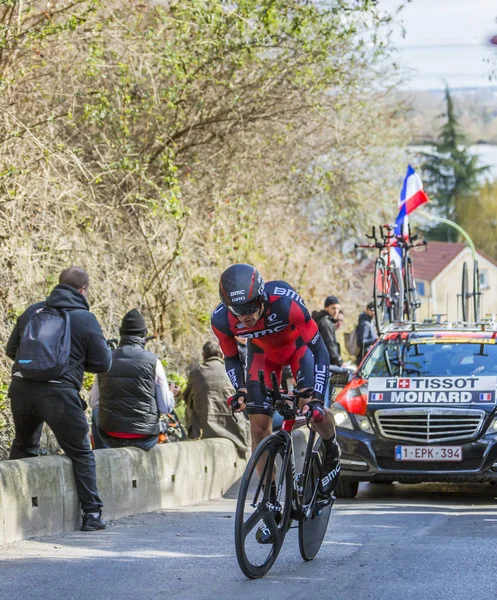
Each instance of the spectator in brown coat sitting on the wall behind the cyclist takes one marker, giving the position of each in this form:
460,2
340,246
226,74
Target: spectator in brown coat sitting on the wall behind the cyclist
206,394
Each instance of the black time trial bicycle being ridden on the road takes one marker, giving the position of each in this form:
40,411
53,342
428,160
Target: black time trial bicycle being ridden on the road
273,493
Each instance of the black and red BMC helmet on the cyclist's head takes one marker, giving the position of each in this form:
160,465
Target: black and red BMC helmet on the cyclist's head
241,289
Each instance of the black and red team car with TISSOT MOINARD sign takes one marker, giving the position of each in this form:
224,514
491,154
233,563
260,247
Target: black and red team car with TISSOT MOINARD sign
421,407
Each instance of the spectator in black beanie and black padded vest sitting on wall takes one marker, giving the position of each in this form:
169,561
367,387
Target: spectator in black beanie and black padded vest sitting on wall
131,396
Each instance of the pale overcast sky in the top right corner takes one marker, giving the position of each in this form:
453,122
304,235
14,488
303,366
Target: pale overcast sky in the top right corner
446,40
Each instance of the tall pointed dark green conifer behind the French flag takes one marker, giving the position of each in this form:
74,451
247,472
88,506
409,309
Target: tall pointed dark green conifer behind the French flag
451,174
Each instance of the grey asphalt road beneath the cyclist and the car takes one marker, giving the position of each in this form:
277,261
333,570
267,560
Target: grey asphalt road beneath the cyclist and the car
394,542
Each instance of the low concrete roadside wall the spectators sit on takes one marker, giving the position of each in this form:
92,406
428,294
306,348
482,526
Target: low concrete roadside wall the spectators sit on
38,495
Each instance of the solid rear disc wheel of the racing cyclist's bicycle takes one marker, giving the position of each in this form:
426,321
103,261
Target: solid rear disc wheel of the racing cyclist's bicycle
316,509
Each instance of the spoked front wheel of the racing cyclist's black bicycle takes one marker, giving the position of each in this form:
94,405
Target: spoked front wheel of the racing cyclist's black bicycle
257,509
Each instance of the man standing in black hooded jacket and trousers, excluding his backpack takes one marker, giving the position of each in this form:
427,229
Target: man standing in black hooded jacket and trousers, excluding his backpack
58,403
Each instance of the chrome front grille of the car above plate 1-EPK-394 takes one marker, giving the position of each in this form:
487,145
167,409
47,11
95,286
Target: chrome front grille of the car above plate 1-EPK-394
430,425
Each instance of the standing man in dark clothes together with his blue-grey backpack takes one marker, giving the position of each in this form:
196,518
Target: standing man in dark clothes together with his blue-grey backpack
53,343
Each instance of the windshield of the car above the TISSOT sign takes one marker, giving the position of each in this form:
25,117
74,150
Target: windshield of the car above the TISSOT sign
394,358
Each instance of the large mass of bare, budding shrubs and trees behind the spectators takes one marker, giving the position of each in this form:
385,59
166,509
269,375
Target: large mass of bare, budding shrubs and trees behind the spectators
153,143
